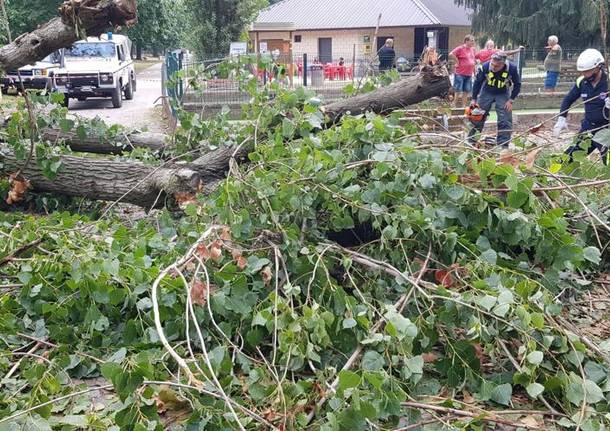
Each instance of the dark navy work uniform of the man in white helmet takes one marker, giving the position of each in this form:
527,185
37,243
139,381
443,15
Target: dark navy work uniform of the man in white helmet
596,114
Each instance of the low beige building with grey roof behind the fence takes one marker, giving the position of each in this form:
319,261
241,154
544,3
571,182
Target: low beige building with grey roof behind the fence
329,29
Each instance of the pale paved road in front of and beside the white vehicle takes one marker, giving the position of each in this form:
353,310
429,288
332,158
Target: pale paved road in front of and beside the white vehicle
137,113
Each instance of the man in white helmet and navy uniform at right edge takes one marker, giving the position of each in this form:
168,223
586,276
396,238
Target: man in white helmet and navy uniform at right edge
592,88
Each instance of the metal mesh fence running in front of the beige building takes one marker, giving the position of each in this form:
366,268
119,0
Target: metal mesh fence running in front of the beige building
225,76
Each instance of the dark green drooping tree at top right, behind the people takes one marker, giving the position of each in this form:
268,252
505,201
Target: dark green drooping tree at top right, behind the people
530,22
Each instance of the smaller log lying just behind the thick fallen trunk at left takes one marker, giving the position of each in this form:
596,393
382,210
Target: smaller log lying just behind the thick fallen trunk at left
95,144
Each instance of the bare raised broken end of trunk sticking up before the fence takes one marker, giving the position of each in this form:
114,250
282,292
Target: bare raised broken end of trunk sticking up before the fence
430,82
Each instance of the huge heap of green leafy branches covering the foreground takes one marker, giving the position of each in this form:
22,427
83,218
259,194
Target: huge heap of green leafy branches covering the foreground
341,272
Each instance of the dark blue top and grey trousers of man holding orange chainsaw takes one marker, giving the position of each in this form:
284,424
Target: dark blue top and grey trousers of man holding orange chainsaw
495,87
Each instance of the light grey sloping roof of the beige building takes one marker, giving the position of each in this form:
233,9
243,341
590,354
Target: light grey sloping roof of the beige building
344,14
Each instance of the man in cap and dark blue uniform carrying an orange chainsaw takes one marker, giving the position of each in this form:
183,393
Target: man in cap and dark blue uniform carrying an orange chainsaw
493,86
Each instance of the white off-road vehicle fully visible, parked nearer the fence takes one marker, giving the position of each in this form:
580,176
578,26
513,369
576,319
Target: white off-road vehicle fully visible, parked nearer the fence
97,67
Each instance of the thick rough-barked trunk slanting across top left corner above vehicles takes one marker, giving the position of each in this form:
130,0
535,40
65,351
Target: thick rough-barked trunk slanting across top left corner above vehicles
77,19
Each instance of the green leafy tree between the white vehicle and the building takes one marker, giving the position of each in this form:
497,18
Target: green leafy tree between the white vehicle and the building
214,24
